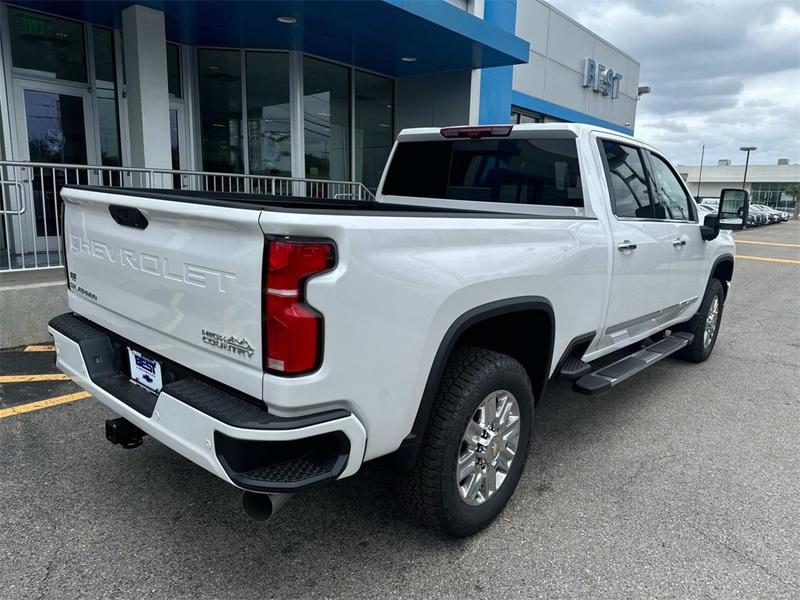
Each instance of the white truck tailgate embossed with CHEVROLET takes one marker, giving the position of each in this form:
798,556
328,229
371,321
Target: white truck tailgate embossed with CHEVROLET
178,278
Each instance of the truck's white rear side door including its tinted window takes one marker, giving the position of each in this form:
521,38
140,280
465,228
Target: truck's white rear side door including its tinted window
642,250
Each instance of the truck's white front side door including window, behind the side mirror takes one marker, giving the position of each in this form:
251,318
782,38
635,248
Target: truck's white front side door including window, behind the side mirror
690,253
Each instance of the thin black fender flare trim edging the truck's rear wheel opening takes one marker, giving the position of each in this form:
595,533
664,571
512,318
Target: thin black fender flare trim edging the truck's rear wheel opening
406,455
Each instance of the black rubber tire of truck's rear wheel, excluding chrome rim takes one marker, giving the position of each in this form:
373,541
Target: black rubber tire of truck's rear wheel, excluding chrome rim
431,488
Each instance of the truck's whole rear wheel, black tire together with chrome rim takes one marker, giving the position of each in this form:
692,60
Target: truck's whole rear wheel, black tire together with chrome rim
476,444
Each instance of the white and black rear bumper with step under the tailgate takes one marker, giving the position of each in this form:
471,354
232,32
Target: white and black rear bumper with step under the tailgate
233,438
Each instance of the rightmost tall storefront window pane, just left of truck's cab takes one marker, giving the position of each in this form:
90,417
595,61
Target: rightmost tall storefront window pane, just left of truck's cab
374,131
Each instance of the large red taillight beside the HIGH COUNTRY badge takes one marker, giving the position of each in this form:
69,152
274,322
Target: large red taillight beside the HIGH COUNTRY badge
292,329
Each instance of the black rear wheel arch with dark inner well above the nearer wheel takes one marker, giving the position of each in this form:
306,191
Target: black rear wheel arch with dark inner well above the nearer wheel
499,326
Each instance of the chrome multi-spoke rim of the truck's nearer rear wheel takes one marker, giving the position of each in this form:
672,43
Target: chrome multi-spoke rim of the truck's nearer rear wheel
488,447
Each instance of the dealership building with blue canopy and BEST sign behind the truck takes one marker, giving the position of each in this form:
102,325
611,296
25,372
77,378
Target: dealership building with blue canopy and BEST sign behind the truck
247,96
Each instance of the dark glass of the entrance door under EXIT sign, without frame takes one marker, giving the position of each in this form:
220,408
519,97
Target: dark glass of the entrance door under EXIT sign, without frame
56,134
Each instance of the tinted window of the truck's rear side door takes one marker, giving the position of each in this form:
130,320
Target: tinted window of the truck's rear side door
628,181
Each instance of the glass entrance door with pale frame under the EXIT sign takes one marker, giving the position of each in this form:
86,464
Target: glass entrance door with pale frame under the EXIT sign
55,129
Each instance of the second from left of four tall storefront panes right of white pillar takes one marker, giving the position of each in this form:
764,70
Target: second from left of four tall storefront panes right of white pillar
268,131
